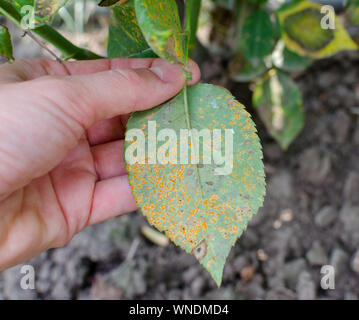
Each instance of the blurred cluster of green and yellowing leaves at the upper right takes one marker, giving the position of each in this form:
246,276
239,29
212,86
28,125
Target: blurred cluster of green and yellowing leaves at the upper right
289,39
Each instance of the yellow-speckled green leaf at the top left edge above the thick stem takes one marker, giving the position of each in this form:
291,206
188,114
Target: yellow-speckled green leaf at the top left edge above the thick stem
43,10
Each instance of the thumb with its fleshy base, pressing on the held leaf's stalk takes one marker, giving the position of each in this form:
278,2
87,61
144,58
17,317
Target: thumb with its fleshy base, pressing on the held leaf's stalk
39,126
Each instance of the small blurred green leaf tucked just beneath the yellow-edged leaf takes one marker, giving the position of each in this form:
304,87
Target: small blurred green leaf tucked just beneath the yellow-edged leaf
289,61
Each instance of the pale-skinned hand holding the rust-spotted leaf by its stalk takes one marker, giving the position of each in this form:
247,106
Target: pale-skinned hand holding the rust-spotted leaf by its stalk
61,145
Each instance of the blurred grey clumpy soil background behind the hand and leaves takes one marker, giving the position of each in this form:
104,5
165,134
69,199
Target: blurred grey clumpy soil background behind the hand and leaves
310,216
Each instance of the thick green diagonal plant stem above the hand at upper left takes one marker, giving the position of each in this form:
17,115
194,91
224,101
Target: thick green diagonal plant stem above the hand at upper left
67,48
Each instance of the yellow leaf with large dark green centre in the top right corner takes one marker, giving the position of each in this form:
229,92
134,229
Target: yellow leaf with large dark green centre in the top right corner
302,32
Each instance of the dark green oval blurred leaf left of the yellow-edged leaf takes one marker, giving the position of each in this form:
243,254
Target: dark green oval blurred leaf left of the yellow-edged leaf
257,36
